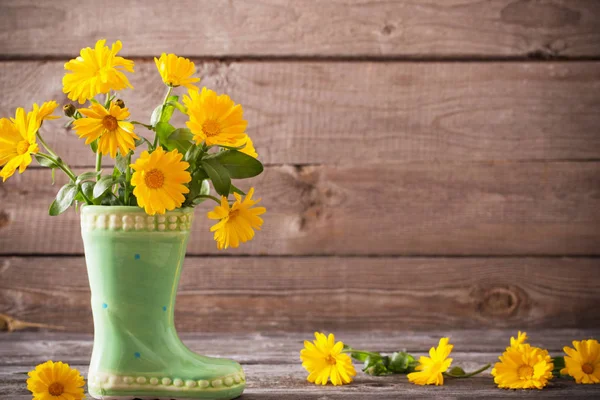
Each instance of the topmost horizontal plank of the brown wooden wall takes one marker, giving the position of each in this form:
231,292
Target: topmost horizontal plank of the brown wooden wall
313,28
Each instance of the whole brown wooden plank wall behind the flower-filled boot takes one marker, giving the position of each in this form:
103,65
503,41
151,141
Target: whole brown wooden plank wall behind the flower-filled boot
428,164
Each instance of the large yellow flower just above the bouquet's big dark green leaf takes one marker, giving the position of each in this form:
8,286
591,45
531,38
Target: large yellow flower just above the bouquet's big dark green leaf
214,119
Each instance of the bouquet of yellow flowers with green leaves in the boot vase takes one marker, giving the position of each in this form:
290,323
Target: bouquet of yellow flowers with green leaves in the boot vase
176,164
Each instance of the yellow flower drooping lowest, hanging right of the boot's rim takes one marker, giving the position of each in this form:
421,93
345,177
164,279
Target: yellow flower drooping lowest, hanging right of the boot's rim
236,223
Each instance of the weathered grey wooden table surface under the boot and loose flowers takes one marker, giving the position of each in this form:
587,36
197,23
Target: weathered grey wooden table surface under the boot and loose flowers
274,371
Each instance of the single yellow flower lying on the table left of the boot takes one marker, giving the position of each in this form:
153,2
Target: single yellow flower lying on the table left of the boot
55,380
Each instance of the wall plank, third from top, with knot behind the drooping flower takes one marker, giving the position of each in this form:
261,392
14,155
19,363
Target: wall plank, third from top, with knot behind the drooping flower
420,208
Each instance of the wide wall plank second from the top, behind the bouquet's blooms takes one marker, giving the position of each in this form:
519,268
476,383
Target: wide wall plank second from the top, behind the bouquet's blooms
350,113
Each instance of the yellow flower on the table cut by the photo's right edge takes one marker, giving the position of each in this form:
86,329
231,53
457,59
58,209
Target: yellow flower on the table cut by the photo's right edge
583,361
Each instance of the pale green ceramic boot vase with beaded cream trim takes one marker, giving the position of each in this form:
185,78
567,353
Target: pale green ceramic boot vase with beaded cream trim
134,261
